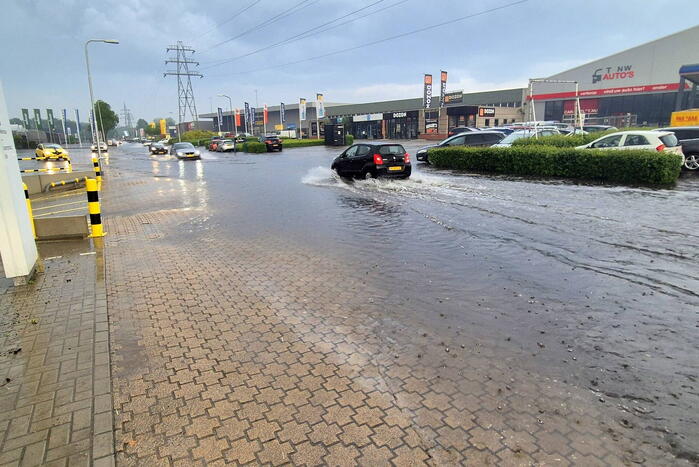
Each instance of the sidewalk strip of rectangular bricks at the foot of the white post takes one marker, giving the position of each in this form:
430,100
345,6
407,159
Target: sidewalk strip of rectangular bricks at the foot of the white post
55,386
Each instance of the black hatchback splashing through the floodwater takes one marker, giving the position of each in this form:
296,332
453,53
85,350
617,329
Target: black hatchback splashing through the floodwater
371,160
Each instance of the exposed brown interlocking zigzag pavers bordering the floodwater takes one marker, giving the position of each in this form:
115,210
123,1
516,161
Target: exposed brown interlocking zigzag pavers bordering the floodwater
231,349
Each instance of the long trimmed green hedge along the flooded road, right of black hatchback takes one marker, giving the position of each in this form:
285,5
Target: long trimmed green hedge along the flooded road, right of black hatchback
624,166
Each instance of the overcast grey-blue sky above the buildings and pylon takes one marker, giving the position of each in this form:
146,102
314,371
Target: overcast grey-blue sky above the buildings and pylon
43,64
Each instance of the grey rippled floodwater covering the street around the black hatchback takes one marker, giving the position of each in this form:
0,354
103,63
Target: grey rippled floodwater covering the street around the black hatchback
596,285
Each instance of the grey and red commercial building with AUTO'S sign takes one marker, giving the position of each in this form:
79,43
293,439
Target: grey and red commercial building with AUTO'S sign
638,86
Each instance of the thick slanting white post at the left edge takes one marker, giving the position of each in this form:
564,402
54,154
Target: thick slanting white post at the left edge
17,246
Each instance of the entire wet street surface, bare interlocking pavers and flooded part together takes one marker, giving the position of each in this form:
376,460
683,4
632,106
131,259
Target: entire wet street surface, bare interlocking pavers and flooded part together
262,310
